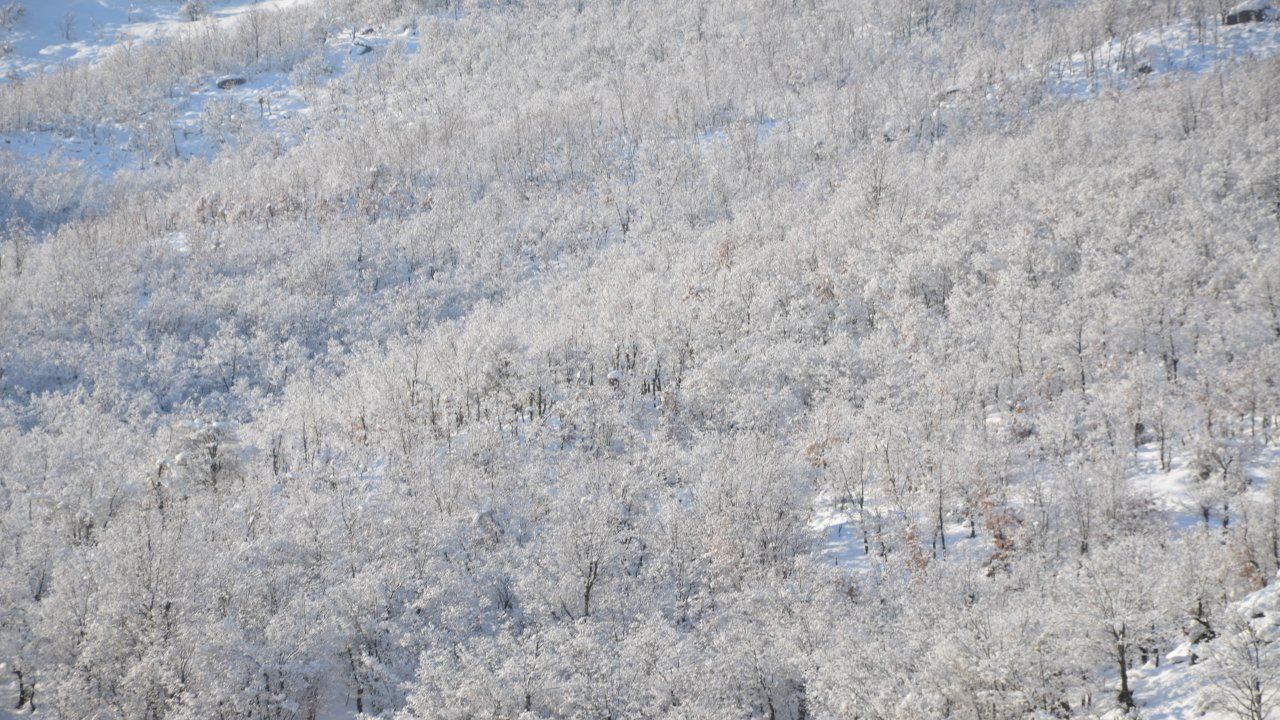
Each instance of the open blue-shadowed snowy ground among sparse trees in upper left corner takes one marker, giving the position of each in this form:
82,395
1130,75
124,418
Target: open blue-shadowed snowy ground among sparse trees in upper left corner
205,119
